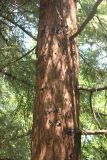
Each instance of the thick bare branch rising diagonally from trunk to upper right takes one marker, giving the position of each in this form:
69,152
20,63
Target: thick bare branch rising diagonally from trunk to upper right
87,20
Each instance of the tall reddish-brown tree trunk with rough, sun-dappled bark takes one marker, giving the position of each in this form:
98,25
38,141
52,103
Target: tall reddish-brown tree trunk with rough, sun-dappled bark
56,113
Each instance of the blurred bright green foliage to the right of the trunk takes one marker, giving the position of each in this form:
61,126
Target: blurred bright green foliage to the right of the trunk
93,73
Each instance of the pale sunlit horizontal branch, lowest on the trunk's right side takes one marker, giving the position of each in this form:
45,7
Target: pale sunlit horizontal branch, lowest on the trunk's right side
93,132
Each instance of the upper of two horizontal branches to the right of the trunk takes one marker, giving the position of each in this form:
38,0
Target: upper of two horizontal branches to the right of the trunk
92,89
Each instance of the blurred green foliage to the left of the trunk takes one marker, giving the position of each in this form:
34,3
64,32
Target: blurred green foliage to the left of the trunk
17,78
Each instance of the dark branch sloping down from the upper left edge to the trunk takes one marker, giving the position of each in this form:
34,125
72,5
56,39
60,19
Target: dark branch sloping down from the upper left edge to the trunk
16,24
